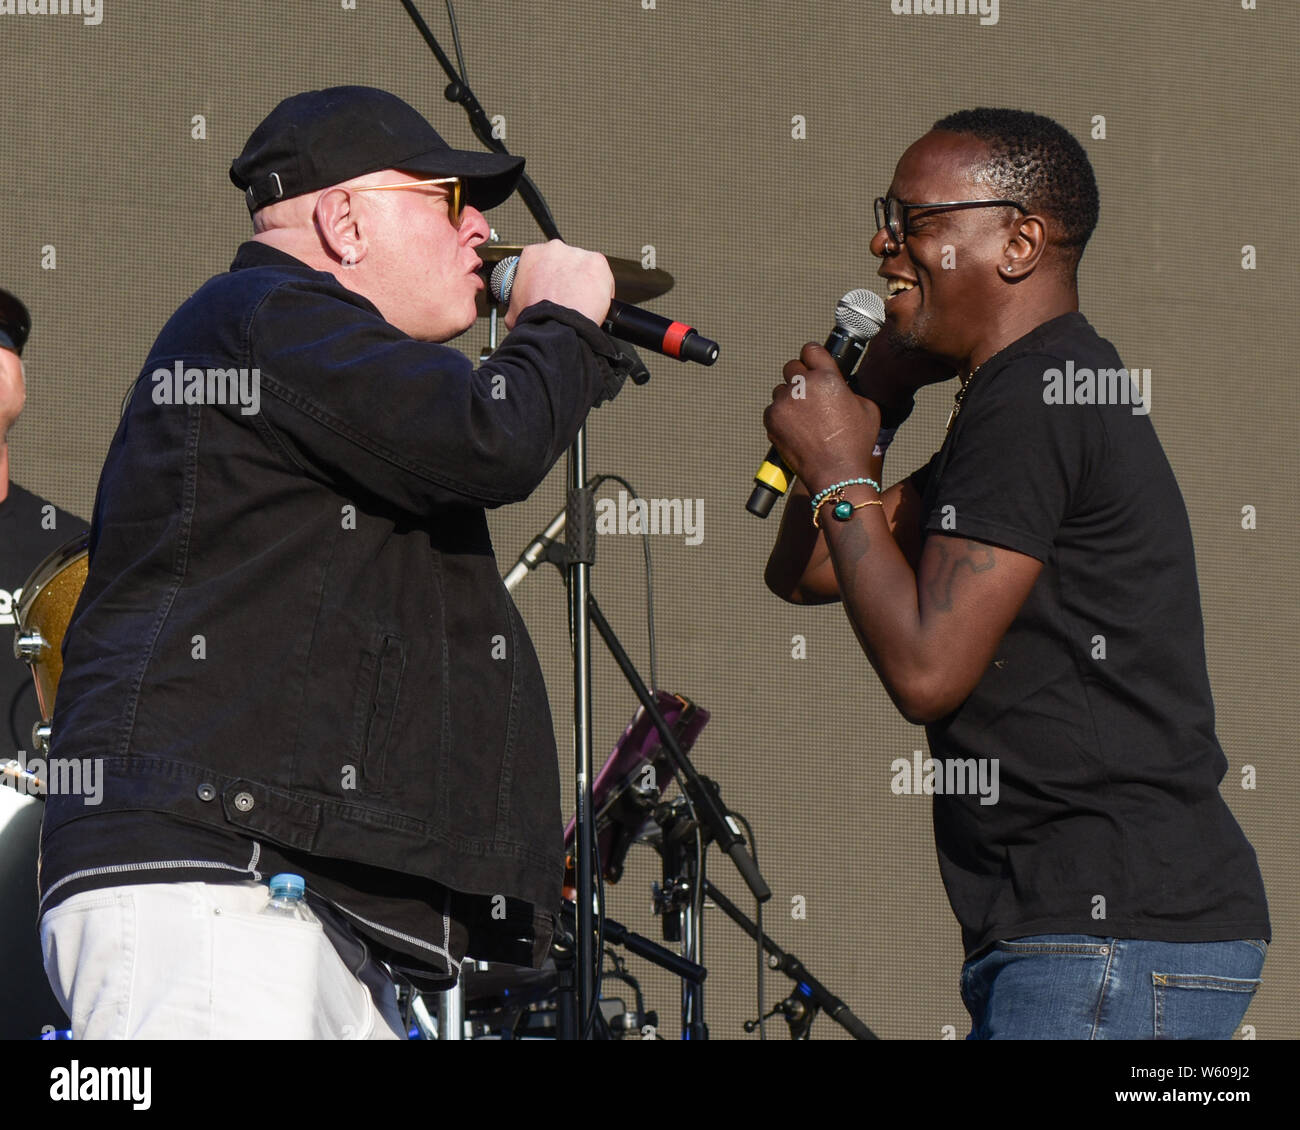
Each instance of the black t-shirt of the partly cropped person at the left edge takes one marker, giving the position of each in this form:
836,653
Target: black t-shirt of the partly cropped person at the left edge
31,530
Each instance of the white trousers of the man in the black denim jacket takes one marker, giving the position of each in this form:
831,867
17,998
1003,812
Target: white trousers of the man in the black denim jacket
200,962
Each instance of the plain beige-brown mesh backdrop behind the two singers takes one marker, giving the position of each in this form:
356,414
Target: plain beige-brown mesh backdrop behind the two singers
670,128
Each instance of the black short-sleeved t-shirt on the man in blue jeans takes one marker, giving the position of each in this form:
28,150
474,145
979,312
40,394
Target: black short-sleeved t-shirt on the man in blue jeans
1098,709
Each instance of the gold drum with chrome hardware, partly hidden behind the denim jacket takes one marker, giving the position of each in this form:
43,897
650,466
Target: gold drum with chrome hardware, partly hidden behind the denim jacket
44,616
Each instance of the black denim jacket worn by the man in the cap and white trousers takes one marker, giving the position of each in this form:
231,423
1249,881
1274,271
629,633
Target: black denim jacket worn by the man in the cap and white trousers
294,626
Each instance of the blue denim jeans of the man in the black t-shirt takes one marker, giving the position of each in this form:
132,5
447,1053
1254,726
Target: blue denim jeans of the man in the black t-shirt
1081,988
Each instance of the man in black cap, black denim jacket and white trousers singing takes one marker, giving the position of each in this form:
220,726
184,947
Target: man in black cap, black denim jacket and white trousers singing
294,652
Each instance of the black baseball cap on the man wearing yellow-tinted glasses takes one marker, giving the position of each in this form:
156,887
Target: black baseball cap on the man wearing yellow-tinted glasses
324,137
